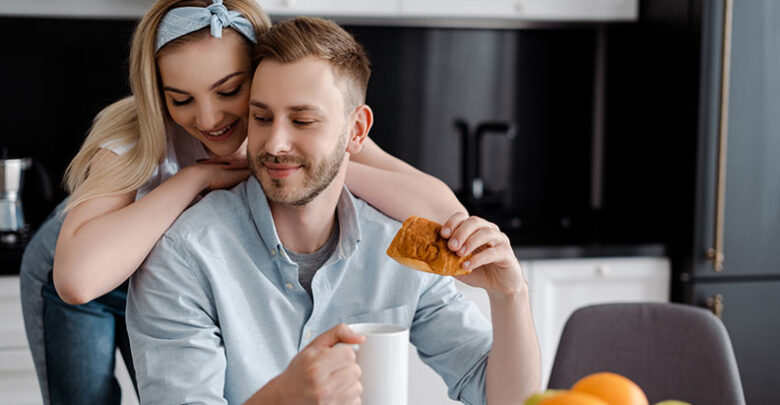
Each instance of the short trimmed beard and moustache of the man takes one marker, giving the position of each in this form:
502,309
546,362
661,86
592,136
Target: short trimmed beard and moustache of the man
316,178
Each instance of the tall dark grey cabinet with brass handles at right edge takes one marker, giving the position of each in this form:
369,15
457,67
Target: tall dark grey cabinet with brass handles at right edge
733,266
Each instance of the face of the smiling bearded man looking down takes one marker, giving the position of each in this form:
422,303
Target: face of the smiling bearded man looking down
297,133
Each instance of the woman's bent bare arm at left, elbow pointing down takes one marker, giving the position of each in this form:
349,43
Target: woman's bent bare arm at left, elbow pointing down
104,240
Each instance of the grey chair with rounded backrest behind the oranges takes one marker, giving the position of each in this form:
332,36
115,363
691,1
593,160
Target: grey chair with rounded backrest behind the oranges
672,351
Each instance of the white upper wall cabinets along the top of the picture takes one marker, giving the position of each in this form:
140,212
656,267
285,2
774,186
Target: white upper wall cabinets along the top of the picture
418,12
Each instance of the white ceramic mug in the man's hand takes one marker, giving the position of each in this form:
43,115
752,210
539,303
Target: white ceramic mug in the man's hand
384,361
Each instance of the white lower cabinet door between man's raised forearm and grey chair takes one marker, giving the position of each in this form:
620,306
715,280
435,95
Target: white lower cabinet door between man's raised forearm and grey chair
559,287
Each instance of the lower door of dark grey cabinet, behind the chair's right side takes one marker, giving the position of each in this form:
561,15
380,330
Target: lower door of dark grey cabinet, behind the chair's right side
751,314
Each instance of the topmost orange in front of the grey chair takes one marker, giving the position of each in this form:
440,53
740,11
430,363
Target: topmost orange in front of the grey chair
613,388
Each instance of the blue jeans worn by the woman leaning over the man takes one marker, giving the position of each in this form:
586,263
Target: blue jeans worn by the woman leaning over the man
72,346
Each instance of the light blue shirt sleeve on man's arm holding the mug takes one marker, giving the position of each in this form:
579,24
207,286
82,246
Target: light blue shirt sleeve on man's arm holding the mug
175,338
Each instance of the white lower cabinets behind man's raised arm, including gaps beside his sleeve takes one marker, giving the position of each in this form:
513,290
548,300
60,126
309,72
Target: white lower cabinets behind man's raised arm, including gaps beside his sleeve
557,288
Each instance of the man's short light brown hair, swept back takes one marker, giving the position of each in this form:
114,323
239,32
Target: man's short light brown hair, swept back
292,40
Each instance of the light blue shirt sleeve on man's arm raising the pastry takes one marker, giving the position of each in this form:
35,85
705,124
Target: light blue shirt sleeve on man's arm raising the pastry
453,338
